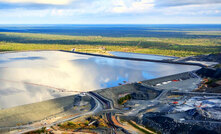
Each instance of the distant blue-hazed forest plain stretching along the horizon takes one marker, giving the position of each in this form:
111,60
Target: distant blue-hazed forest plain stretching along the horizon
158,31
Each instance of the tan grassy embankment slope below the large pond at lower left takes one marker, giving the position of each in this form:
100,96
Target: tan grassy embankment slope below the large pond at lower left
34,112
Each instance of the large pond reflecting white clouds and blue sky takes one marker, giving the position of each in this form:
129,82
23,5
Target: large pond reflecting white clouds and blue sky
28,77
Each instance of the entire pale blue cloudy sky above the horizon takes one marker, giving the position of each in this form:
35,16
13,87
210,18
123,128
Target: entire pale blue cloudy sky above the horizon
110,11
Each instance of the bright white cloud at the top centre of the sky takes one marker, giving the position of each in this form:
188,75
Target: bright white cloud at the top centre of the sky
103,7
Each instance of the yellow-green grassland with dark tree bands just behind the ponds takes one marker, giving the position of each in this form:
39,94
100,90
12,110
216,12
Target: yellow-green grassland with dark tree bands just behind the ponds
179,47
